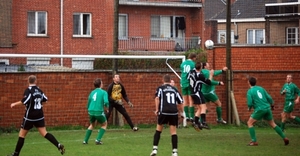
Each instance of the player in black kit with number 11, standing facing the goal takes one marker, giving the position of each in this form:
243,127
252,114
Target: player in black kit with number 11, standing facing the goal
166,99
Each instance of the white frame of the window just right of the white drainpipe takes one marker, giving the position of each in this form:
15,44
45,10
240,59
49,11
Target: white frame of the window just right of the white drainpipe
89,25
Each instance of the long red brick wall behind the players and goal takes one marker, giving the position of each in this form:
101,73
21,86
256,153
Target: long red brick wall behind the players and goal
68,91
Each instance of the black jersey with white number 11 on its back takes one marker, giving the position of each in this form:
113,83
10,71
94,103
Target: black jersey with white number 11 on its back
169,97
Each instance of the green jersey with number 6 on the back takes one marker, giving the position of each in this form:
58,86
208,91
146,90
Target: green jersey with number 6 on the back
258,98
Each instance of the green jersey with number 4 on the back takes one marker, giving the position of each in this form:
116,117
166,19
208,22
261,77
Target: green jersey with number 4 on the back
98,98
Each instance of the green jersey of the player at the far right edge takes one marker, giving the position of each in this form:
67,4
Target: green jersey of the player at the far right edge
291,91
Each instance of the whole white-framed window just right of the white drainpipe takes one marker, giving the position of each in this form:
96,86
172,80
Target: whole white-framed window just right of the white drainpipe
82,25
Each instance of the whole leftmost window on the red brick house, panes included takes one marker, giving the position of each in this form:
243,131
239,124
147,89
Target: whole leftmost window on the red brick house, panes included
37,23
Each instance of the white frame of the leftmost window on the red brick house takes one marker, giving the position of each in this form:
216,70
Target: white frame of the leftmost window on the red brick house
37,21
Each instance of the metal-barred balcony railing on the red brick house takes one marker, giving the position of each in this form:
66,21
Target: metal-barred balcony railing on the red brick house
161,44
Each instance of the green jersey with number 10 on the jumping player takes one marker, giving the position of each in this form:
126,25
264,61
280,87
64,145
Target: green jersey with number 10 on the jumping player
185,68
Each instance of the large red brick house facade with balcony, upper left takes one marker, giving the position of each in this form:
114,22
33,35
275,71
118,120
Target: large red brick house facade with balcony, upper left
72,27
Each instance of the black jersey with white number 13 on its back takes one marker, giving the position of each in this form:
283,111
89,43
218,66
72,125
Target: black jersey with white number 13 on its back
33,100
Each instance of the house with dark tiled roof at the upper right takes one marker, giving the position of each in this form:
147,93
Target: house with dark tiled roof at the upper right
259,22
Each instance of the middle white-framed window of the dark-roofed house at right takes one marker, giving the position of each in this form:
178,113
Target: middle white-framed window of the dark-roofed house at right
255,36
